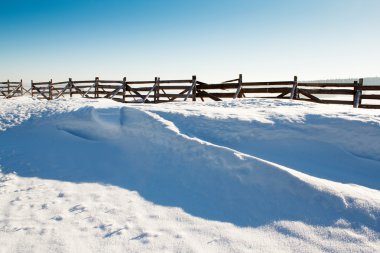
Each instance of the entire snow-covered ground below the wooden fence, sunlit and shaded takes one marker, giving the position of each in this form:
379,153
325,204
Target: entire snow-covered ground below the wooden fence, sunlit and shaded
250,175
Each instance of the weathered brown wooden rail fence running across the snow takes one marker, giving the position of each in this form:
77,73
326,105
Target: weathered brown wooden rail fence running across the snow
355,93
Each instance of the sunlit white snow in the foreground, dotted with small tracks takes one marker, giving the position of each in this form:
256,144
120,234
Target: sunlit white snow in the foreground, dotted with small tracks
39,215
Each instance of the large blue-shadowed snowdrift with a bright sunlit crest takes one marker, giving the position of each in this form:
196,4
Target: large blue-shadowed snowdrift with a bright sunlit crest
141,151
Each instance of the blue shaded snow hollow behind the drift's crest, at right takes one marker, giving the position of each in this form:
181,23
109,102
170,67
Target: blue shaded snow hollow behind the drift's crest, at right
337,149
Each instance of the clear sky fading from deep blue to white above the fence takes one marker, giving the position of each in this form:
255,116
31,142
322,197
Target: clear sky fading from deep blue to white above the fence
214,39
